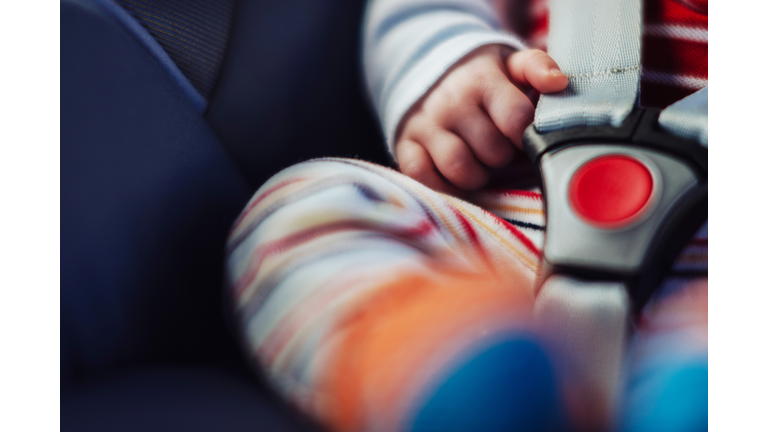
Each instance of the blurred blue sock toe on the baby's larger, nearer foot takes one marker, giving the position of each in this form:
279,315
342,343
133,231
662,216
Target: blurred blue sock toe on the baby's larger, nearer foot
507,387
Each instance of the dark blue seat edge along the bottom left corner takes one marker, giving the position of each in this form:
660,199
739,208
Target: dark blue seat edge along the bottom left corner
185,399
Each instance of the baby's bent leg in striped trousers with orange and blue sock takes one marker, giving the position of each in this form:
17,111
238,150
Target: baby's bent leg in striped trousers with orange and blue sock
373,302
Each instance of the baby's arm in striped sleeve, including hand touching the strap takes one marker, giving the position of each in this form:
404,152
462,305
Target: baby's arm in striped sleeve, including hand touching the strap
449,92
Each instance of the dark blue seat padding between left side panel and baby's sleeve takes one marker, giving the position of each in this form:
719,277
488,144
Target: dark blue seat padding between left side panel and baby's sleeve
290,88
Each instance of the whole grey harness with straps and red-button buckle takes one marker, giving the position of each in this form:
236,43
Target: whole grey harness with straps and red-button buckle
624,189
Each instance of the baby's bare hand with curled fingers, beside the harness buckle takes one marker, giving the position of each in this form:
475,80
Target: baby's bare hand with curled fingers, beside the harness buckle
470,119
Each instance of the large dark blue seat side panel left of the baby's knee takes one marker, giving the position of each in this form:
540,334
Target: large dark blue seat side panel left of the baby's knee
147,197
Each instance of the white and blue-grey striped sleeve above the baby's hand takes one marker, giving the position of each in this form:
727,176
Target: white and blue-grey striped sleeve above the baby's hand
409,44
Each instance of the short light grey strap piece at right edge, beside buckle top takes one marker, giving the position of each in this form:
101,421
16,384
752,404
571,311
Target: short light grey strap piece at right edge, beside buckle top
688,117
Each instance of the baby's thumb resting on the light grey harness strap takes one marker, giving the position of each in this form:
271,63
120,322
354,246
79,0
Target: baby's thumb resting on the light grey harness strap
537,69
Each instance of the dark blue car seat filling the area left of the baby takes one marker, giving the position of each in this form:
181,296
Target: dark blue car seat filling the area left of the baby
172,114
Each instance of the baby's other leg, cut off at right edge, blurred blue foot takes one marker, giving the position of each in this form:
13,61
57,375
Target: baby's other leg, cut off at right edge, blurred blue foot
667,378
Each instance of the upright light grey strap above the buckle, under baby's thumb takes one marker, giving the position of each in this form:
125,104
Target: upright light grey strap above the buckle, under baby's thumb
596,43
